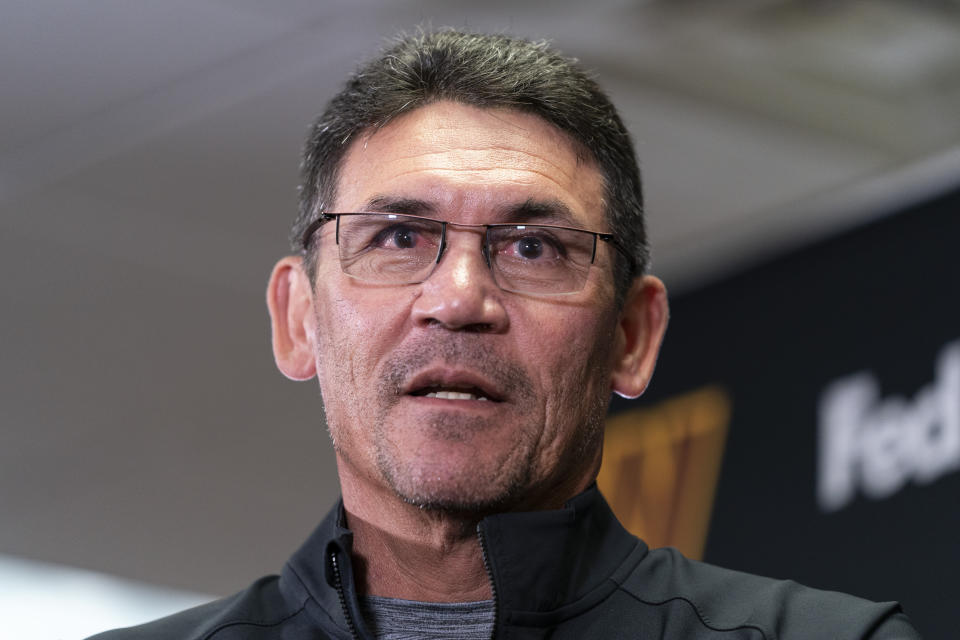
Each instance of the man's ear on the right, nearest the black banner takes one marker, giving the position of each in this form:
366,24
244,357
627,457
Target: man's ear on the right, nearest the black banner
642,324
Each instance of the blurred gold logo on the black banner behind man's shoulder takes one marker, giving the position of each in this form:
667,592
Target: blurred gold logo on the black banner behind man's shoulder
661,464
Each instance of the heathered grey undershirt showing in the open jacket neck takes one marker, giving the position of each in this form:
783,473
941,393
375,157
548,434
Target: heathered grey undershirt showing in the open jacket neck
393,619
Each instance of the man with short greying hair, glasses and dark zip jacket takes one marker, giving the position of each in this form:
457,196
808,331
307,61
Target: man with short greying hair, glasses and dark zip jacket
468,288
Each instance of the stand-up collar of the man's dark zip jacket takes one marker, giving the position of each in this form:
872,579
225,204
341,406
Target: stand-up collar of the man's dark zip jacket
543,564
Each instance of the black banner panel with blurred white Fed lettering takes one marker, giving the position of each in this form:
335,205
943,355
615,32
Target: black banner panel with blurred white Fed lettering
840,364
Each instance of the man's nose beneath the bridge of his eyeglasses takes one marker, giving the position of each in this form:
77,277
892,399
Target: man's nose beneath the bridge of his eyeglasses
461,294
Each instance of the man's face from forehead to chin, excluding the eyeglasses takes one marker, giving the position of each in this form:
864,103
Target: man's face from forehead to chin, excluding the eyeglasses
537,369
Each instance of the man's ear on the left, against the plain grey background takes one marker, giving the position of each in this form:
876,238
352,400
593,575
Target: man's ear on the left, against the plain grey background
292,320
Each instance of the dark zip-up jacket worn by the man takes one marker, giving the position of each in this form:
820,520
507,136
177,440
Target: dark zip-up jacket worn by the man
570,573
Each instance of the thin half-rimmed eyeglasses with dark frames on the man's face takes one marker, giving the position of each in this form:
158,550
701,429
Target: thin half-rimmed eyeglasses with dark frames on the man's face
397,249
